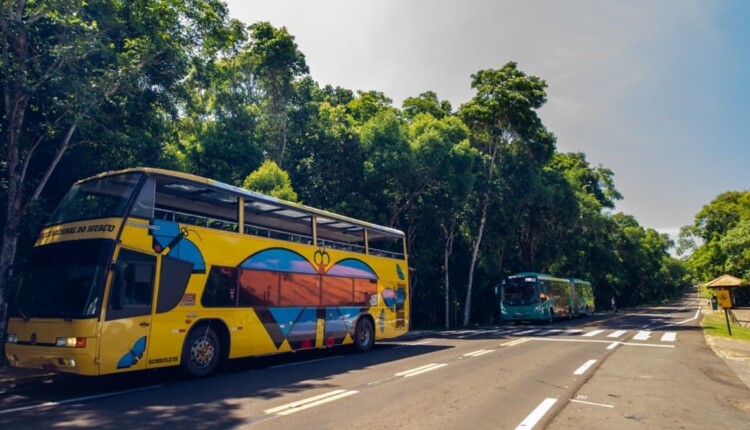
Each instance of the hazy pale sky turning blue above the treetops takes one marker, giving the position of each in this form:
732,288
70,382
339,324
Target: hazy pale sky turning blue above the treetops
657,91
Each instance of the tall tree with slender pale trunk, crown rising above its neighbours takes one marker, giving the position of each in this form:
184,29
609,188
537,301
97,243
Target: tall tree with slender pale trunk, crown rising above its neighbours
502,114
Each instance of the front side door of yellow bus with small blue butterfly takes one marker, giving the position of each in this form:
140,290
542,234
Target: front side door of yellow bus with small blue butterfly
124,340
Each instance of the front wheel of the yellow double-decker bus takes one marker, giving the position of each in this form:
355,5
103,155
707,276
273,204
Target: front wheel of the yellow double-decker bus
201,352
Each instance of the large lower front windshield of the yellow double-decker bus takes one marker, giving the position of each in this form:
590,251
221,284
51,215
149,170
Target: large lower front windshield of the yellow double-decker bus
62,280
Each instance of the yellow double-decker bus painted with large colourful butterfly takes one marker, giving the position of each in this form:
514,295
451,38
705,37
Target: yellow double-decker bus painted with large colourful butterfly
147,268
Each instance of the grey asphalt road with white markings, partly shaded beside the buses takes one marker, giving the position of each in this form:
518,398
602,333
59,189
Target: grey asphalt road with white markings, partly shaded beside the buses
648,368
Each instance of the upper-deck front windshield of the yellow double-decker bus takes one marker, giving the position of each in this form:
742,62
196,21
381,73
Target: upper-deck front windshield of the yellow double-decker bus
97,198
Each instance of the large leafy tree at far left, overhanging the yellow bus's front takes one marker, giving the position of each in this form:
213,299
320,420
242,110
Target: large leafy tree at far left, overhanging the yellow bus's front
67,63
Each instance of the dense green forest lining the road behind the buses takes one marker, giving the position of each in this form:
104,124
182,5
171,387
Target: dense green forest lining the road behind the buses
480,189
